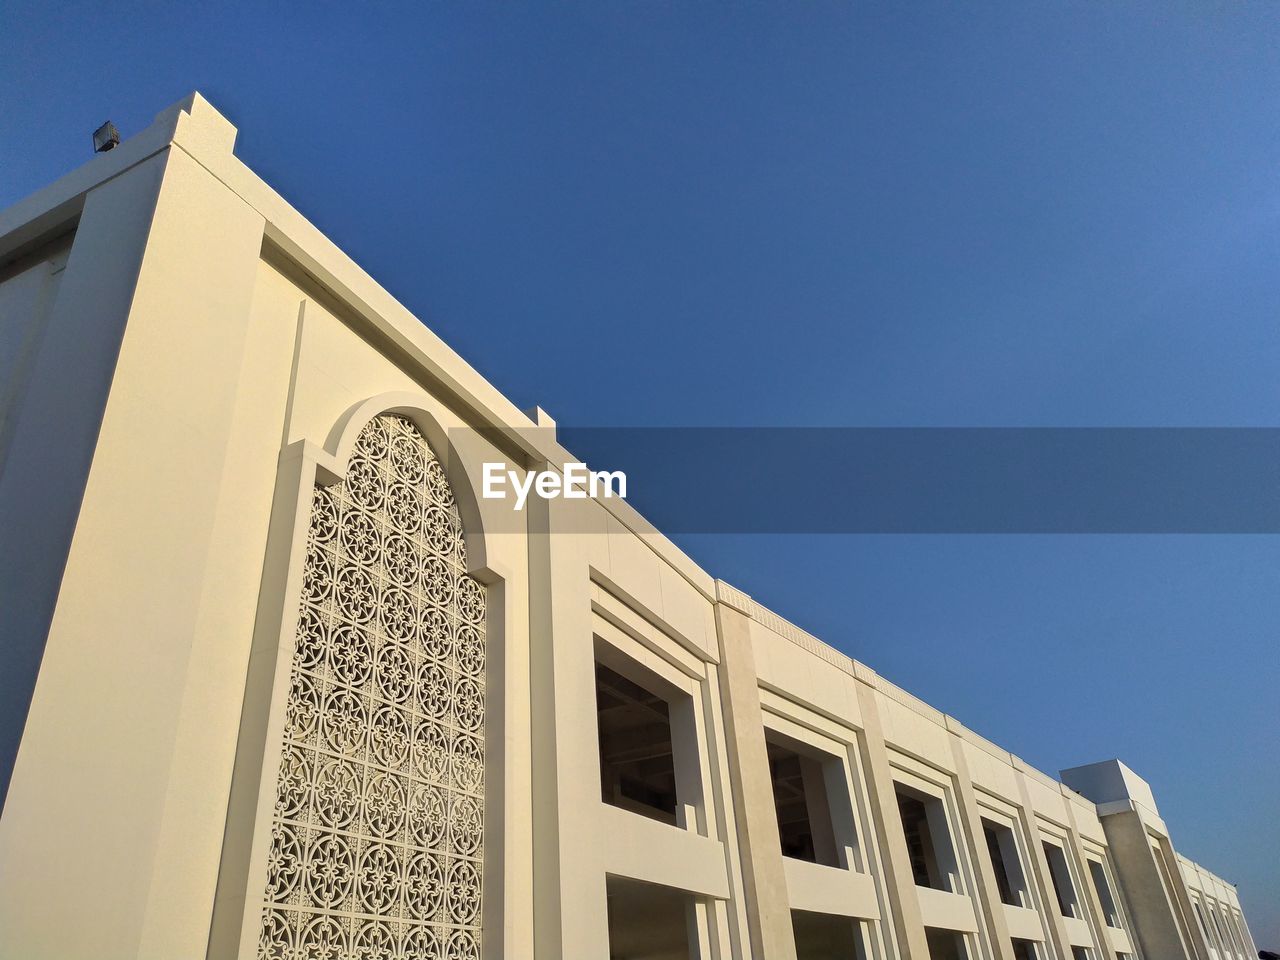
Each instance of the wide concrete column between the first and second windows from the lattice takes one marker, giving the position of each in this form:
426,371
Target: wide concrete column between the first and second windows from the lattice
765,880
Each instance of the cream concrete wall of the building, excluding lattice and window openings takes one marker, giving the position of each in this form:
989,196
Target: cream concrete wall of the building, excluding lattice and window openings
176,386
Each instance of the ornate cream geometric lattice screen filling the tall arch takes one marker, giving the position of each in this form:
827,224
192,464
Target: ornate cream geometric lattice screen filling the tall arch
378,833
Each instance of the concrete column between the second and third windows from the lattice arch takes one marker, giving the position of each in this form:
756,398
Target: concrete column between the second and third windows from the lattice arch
899,881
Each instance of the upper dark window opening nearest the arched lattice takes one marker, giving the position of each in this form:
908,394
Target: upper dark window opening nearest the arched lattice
637,769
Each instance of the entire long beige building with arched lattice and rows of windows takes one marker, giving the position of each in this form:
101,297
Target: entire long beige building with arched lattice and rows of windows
299,691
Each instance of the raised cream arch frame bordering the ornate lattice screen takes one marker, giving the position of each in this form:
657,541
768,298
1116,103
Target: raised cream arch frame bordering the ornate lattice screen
305,465
